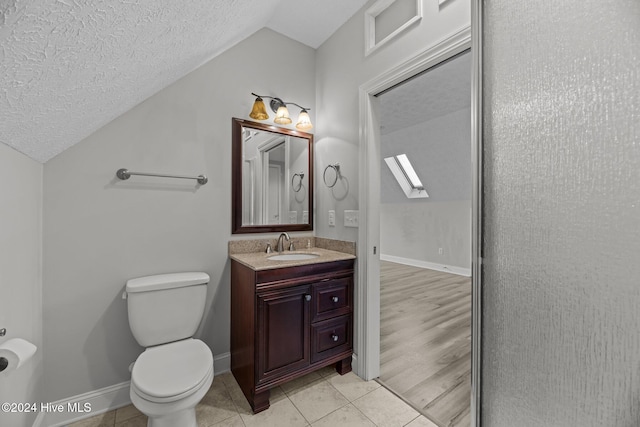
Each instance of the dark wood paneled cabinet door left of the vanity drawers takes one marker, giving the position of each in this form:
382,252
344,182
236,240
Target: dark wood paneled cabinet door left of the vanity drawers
283,331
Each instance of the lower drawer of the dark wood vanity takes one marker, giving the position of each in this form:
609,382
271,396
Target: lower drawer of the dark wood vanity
330,337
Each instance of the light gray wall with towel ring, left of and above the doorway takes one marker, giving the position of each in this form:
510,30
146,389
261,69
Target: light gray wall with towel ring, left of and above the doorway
341,69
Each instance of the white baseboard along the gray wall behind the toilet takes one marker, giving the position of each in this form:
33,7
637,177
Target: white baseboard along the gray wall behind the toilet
99,401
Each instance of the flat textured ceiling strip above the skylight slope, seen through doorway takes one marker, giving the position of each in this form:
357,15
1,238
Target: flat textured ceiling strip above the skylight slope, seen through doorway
440,90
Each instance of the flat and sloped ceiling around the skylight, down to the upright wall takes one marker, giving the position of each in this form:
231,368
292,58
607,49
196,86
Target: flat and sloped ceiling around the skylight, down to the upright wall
438,149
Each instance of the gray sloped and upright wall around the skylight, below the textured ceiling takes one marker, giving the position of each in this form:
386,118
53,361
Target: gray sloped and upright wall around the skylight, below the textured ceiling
414,229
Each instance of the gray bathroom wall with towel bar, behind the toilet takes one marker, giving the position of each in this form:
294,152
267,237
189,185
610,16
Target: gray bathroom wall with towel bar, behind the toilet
100,231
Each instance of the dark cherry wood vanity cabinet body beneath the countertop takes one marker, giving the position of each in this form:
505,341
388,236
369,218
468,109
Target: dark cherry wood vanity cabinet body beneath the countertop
287,322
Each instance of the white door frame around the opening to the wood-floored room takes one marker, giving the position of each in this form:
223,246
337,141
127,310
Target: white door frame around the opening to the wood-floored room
367,340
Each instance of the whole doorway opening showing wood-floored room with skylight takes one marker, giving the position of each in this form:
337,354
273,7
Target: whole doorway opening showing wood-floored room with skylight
425,241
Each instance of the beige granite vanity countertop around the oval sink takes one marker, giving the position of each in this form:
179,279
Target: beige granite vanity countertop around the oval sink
260,260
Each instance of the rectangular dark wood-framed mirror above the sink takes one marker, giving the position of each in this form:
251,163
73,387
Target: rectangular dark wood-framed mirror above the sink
272,178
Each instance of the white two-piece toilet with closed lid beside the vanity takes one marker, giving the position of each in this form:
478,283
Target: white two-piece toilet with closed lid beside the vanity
175,371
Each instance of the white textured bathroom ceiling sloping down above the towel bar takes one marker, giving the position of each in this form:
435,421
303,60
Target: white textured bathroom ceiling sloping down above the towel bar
68,67
